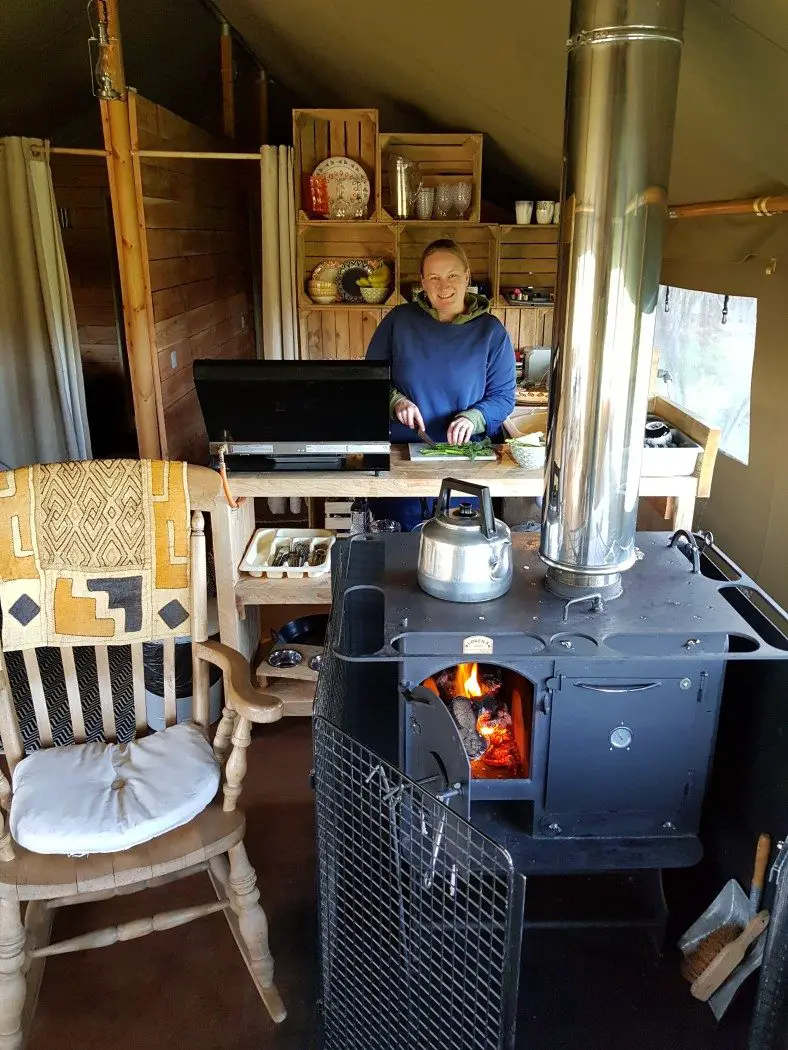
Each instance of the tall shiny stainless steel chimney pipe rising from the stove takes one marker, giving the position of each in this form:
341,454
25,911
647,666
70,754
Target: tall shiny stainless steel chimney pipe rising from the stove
621,88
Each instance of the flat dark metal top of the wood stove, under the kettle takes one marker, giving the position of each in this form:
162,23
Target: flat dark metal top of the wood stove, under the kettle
666,610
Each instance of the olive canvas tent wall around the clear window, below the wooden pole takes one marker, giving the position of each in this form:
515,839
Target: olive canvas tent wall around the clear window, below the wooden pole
749,507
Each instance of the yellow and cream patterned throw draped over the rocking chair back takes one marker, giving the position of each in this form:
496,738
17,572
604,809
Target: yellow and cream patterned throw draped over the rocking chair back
94,553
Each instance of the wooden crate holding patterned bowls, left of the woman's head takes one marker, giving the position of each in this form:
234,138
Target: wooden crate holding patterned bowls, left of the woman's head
319,241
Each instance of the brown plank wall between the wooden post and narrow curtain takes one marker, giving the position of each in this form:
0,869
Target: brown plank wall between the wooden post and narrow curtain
199,258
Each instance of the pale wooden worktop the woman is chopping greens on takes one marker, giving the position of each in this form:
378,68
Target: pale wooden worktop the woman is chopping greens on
423,478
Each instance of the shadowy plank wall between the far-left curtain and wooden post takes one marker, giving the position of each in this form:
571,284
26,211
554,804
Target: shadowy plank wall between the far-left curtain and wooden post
82,191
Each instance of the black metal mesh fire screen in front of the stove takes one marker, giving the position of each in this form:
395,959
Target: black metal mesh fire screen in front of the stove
421,915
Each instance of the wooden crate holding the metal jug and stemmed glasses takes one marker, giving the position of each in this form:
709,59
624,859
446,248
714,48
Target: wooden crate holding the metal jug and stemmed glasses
442,159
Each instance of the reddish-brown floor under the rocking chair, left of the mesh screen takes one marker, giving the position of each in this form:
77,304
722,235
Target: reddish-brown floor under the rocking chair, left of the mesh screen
189,988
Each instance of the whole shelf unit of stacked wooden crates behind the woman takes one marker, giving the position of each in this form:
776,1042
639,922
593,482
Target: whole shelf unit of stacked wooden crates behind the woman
502,257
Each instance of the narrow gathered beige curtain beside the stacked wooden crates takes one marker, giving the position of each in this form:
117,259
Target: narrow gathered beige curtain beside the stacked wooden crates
280,319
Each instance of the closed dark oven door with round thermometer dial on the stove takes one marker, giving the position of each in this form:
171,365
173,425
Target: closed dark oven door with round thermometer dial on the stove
621,746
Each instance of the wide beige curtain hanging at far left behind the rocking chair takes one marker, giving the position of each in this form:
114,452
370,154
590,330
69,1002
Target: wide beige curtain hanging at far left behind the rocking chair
43,396
